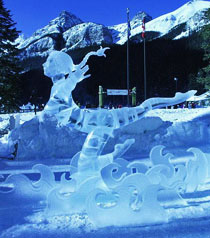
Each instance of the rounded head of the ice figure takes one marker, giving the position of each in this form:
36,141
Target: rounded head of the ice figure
57,64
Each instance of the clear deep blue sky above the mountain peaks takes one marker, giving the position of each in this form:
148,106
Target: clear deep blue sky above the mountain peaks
31,15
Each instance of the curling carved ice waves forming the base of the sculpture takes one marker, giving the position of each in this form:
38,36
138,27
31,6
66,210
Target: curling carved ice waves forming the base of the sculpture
121,193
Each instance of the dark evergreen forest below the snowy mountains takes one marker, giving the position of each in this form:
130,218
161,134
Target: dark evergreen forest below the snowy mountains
186,59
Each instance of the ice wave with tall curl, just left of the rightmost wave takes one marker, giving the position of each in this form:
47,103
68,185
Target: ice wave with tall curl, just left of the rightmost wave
170,177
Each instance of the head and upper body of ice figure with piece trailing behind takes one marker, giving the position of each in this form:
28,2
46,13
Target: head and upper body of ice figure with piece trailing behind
65,76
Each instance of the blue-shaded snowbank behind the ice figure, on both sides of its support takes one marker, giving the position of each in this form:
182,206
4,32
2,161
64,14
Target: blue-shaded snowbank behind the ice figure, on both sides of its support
181,128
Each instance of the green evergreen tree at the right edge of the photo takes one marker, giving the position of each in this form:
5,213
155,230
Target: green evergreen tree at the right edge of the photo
204,74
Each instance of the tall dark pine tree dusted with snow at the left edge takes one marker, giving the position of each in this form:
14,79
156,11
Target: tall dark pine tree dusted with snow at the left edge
9,62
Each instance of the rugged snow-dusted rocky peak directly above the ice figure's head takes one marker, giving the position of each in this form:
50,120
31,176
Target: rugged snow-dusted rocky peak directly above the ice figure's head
65,32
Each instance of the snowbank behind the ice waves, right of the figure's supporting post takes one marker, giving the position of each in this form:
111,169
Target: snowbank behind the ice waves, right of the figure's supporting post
178,128
